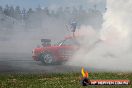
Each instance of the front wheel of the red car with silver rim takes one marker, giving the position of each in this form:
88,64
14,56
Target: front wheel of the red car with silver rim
47,58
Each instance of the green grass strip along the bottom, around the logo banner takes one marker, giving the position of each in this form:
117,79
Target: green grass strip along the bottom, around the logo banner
57,80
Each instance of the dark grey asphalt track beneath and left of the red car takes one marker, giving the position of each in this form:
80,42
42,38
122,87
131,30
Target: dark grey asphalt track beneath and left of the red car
18,63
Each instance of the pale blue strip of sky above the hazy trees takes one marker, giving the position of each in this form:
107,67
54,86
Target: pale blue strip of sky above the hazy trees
55,3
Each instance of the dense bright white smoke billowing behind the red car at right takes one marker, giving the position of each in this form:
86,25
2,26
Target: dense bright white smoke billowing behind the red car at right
111,50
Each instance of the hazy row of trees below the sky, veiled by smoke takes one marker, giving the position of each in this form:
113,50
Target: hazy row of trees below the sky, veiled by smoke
90,16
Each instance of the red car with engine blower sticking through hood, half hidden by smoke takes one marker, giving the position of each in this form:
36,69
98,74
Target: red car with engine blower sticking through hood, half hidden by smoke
60,52
